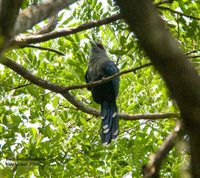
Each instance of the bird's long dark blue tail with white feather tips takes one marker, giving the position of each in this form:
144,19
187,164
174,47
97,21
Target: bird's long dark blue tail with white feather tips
110,122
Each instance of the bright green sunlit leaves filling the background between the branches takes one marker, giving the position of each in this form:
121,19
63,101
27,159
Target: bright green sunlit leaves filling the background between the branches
43,131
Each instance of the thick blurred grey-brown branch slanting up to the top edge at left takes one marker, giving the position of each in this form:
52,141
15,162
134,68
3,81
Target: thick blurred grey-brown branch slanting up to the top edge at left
36,13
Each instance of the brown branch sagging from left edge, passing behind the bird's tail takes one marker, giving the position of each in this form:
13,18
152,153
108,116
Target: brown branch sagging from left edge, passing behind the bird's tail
65,93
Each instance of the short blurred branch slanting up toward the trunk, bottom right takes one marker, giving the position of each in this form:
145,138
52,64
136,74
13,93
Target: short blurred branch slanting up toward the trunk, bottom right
152,170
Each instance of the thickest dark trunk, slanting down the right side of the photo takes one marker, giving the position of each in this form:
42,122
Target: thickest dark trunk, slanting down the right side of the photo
180,76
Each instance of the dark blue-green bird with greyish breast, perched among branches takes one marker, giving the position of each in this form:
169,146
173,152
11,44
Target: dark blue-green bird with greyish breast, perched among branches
100,67
